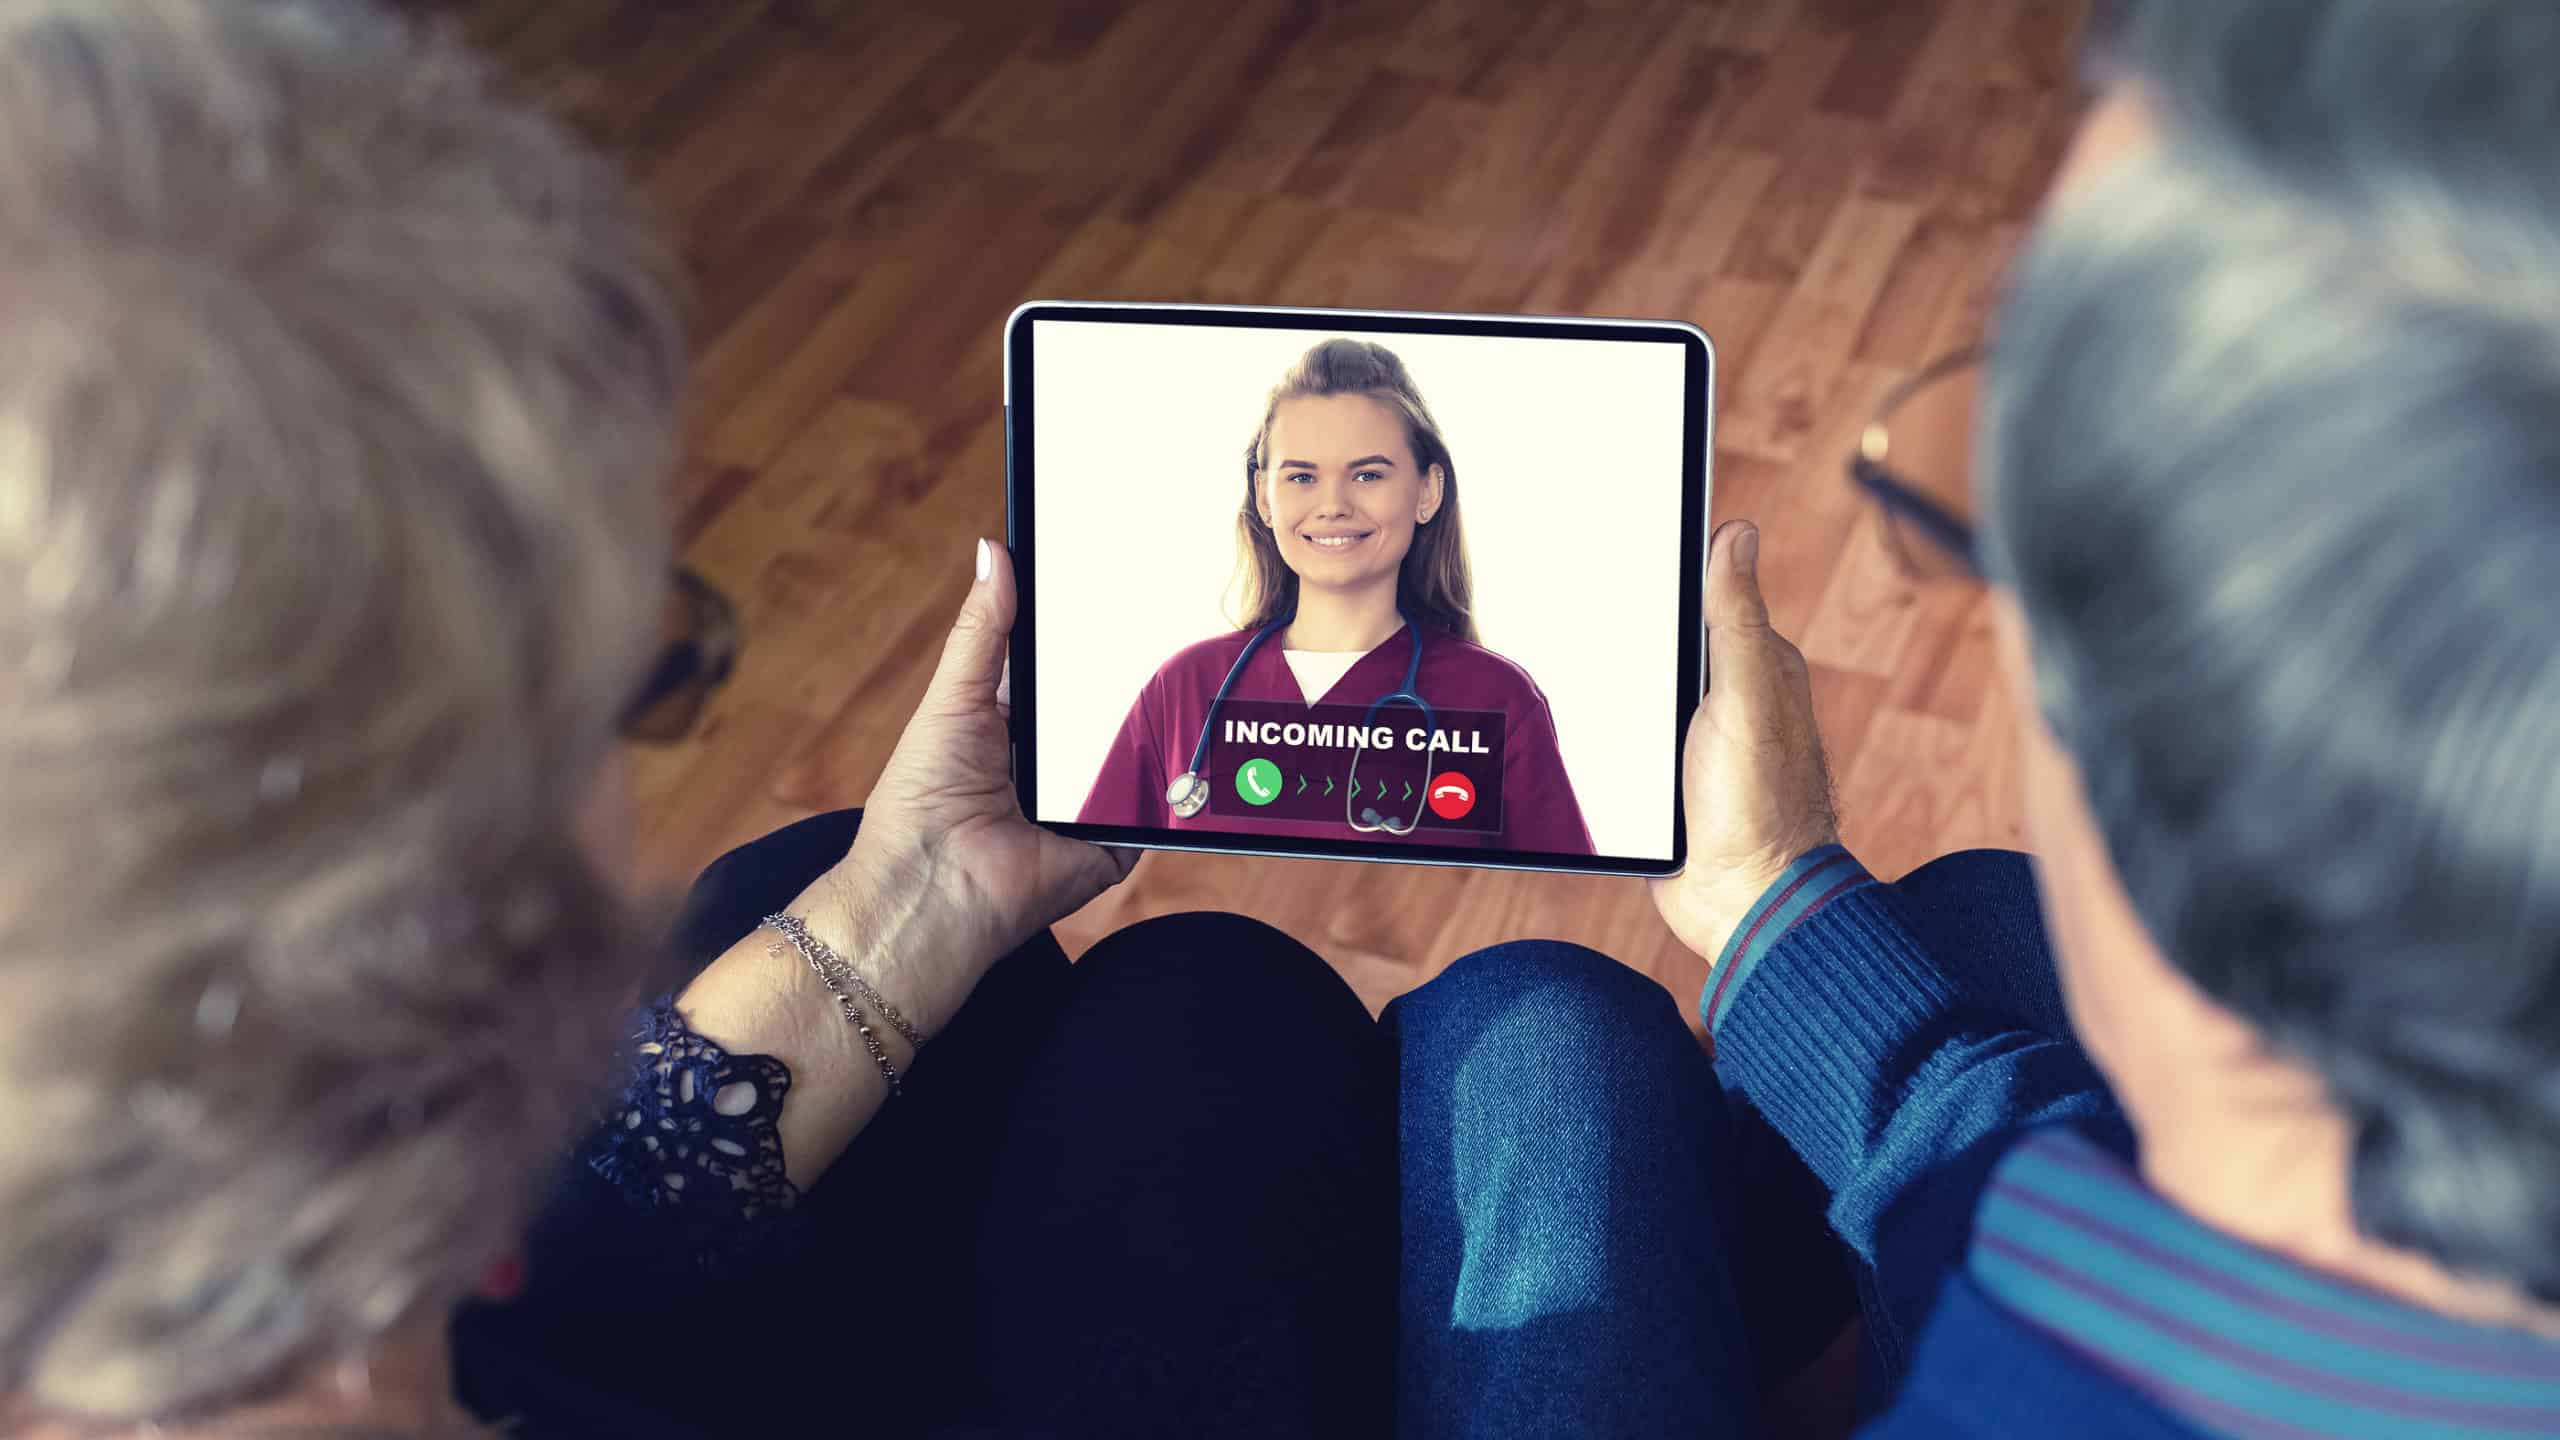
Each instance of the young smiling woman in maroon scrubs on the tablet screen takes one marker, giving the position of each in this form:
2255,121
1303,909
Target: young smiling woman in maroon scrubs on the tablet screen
1353,555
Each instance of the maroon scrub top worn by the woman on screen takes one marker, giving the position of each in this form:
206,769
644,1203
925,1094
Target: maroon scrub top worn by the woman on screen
1156,742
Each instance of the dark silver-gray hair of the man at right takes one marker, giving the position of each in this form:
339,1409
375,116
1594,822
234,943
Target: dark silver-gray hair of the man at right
2275,470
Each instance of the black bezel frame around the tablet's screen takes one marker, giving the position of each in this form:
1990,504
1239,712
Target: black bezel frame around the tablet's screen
1699,450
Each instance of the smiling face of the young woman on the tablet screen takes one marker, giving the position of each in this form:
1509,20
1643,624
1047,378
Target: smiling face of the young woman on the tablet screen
1340,491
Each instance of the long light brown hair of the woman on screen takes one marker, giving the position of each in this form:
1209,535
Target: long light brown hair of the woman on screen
1435,585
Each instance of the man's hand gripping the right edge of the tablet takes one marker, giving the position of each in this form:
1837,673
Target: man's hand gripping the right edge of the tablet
1752,775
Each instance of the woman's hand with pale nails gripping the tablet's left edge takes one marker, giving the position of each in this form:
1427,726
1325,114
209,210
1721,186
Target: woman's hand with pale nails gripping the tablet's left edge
948,875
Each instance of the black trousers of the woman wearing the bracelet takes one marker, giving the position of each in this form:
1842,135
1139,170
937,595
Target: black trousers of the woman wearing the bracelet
1140,1195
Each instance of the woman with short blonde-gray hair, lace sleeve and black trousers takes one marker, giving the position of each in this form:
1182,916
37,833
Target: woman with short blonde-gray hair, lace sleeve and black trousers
337,411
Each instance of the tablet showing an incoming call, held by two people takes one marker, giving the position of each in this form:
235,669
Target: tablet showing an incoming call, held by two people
1358,585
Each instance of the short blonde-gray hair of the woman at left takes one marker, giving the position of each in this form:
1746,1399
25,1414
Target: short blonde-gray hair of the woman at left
334,421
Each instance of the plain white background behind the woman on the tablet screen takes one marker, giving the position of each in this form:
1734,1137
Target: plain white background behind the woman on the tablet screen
1568,465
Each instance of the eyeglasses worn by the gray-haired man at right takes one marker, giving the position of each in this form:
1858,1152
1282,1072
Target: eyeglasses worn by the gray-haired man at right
1916,465
